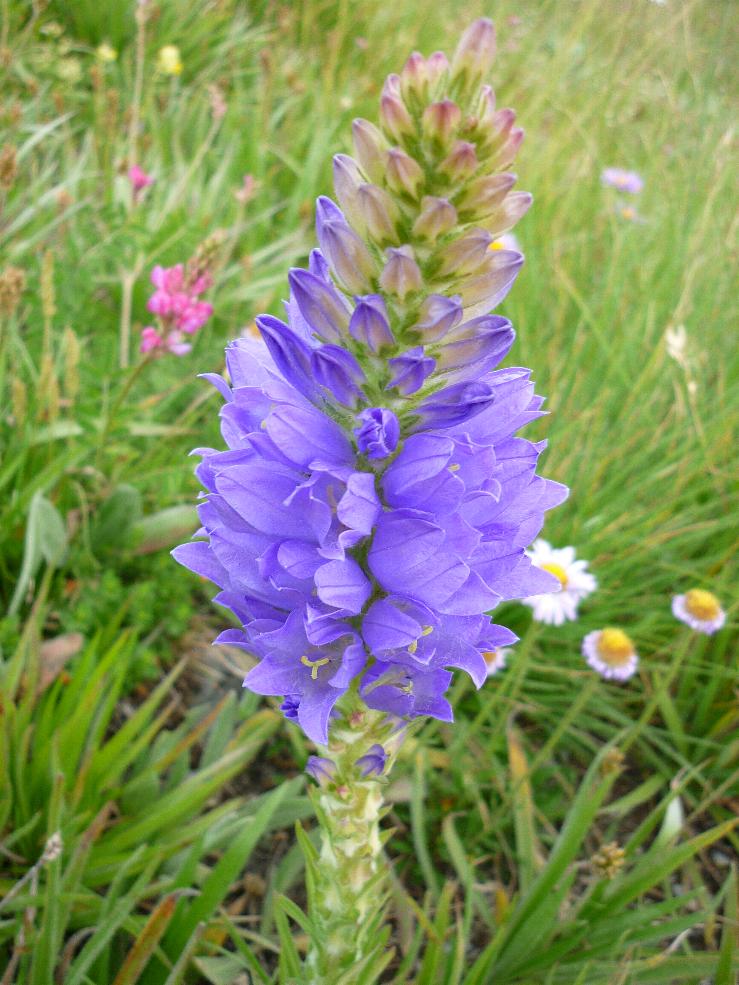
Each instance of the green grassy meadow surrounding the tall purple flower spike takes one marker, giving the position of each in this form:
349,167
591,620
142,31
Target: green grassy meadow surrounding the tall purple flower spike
173,794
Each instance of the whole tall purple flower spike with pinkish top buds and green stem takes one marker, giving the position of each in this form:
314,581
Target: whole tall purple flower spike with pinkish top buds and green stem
374,502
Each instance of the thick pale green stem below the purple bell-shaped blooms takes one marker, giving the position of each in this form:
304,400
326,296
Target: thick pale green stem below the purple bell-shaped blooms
350,878
